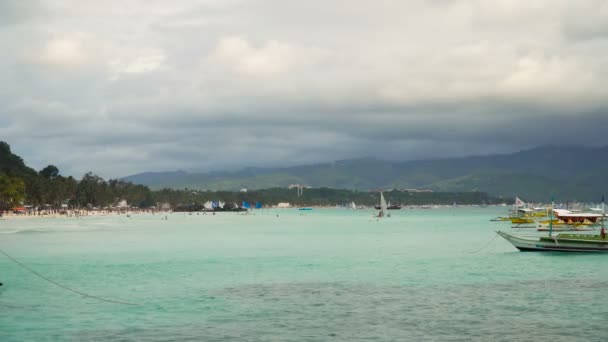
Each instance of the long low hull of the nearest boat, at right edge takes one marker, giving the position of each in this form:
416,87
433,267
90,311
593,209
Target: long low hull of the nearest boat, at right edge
555,244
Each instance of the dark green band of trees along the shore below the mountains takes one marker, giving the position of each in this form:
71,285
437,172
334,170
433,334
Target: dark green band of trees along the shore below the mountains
20,184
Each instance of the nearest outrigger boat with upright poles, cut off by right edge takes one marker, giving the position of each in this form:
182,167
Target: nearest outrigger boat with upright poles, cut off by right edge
560,242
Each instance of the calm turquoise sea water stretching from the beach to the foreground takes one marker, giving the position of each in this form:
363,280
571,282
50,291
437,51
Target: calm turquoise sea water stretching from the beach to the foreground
330,274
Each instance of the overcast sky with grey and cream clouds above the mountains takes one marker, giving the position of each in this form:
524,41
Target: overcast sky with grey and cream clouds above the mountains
125,86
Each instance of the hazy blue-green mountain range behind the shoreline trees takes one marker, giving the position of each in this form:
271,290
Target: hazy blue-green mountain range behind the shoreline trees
565,172
